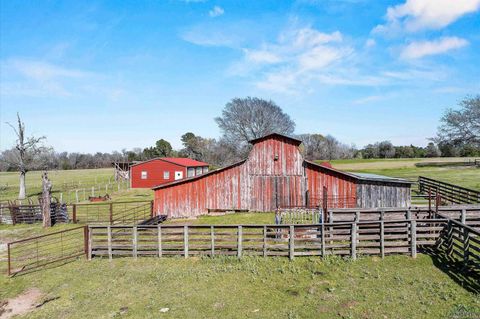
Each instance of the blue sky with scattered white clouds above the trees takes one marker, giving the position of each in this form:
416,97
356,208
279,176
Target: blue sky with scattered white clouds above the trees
106,75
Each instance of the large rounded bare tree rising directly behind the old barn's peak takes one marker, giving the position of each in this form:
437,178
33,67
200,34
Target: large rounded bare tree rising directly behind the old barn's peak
250,118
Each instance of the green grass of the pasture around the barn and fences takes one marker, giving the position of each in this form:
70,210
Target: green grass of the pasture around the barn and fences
224,287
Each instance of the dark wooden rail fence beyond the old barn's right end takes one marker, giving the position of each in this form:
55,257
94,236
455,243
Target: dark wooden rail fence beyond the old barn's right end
448,192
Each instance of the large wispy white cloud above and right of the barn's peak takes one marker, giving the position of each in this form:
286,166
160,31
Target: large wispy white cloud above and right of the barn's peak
295,59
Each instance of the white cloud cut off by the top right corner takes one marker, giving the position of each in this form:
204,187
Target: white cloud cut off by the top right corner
414,15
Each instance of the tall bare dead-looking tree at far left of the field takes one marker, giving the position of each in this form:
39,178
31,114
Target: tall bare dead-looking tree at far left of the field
26,150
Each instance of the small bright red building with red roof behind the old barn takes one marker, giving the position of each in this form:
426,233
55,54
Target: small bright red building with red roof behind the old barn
164,170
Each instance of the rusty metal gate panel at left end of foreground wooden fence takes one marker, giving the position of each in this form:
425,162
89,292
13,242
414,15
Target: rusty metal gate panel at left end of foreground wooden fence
35,253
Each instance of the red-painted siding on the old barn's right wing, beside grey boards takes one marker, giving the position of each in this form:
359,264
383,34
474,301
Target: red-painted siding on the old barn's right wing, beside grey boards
339,185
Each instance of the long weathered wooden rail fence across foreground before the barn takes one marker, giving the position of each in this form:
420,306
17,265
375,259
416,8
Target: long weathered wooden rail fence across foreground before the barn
347,239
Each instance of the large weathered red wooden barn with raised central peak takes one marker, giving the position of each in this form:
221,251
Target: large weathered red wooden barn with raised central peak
276,175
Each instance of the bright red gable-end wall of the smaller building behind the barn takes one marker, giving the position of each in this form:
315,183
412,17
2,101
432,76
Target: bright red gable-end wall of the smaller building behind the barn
154,169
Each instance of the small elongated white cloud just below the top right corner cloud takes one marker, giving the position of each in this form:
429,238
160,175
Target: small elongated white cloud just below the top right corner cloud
417,50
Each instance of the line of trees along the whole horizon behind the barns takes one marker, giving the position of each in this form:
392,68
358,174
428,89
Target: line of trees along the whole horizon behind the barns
244,119
